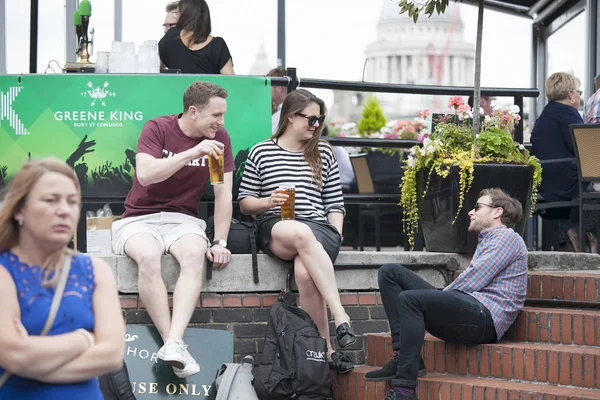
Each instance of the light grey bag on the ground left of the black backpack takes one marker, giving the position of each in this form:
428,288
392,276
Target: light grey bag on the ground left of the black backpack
234,381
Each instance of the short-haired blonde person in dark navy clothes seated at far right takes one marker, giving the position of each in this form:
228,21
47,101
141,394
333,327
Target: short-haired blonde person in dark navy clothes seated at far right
551,139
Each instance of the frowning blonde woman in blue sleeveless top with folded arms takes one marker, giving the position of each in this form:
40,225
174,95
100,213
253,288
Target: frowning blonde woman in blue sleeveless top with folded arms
37,220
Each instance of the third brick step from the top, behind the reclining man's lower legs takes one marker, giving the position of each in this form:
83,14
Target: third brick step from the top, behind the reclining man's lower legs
535,362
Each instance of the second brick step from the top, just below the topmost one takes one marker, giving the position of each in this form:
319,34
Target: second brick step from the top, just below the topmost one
559,326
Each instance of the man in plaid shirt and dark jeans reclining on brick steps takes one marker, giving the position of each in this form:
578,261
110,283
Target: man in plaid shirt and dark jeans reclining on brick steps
478,307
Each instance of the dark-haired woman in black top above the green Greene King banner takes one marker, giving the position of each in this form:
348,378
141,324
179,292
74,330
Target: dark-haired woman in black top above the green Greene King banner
190,47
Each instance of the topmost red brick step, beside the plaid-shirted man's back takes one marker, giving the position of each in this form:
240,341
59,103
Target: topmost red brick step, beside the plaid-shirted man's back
564,285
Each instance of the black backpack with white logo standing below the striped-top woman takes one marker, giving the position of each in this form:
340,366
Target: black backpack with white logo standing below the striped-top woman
294,362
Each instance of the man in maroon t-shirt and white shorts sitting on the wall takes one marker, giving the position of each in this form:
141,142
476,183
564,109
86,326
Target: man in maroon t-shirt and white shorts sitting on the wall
161,212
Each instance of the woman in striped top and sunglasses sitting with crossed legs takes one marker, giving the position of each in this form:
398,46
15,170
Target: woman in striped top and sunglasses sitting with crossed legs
295,154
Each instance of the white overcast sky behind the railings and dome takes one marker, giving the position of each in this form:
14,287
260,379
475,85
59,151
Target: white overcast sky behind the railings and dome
325,38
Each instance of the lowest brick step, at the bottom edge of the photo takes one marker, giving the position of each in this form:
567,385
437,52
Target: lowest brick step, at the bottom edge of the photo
435,386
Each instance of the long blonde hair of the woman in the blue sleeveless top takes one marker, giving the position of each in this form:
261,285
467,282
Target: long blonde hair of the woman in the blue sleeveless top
14,200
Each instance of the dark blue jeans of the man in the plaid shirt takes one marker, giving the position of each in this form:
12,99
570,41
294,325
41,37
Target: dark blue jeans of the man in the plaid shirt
413,305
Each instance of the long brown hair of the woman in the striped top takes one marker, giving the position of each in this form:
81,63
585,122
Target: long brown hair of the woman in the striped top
294,103
